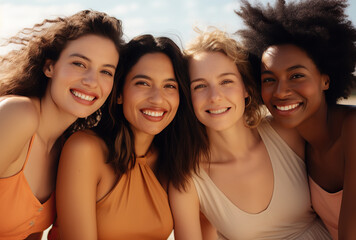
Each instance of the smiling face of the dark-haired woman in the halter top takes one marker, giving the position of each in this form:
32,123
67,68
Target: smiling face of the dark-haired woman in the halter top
150,95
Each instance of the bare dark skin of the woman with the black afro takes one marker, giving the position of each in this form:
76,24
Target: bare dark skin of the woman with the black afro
290,77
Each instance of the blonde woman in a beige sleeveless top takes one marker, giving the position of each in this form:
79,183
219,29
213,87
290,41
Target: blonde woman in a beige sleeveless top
252,182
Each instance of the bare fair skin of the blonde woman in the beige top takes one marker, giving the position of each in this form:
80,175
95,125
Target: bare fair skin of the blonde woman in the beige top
240,166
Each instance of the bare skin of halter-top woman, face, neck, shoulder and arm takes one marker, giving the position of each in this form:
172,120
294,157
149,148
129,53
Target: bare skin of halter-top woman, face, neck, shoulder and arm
150,88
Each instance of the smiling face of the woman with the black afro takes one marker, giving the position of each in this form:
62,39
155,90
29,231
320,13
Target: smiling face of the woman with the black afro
292,86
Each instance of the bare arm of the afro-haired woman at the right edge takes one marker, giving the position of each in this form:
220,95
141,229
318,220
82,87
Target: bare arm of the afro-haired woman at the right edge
347,220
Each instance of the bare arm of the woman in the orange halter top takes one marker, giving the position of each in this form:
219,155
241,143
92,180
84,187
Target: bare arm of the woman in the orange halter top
77,180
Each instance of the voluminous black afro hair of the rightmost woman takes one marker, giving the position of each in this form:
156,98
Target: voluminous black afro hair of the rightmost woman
319,27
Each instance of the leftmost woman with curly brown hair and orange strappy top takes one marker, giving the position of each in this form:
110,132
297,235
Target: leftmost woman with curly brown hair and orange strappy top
63,70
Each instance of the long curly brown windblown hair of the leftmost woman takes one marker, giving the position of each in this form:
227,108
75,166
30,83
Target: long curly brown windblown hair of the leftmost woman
21,70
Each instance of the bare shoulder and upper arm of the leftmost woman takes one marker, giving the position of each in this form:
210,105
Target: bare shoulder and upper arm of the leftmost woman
18,123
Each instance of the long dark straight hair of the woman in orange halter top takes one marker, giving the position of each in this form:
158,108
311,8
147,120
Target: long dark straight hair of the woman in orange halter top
177,143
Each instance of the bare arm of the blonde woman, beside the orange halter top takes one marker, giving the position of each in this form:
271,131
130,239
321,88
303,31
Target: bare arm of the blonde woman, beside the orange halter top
186,213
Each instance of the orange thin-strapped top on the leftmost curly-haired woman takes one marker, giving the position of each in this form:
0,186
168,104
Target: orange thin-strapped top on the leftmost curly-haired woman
21,214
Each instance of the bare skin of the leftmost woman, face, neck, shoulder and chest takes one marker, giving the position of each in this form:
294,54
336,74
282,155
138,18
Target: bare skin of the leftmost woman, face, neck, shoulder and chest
81,67
